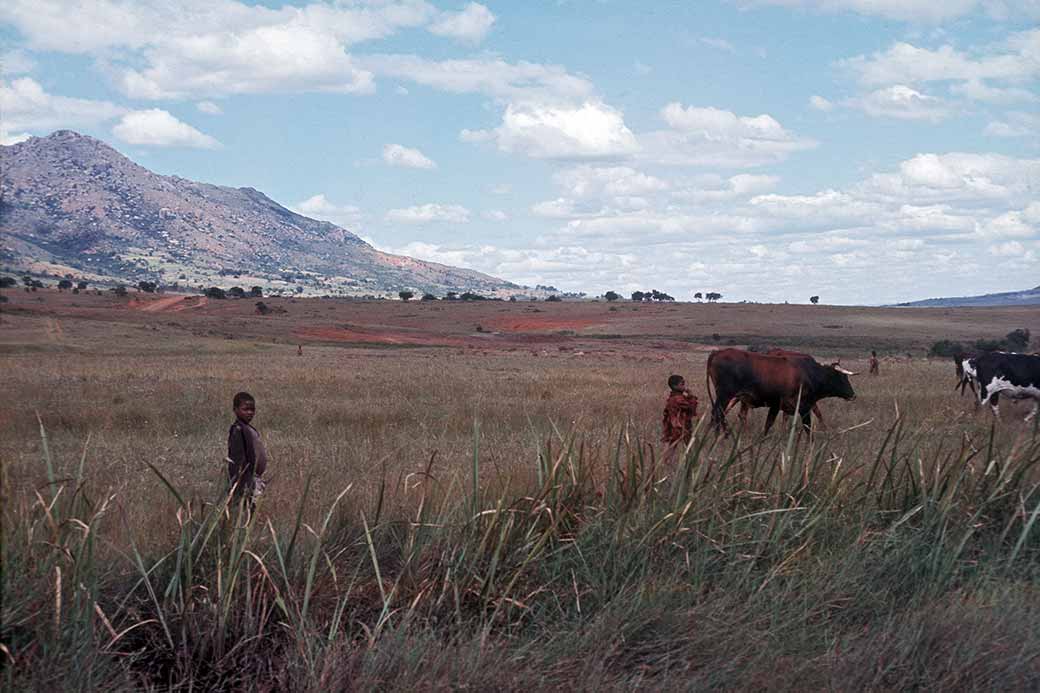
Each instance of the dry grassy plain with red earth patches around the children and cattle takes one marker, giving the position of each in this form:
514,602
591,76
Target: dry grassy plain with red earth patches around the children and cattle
471,496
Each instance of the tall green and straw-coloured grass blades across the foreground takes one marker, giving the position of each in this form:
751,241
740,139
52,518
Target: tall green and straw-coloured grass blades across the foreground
788,561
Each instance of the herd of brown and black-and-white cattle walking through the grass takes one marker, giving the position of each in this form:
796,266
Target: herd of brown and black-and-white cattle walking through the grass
794,383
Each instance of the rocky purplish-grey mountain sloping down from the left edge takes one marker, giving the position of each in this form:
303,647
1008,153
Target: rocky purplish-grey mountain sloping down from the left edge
72,204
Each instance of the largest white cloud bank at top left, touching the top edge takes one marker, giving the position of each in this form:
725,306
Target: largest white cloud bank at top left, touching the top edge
203,48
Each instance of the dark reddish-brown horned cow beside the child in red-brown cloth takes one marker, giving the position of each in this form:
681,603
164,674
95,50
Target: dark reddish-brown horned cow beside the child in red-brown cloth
778,382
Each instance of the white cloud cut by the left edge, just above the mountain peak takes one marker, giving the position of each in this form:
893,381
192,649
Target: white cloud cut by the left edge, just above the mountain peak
28,107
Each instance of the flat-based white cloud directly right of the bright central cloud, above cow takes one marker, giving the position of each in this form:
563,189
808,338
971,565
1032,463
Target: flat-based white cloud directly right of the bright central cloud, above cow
708,137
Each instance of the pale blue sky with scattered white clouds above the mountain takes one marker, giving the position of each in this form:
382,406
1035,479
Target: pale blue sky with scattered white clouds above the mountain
865,151
